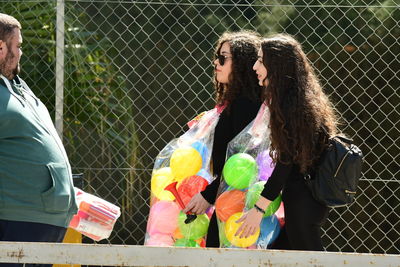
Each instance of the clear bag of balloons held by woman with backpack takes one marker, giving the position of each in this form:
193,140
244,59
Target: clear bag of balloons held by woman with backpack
247,167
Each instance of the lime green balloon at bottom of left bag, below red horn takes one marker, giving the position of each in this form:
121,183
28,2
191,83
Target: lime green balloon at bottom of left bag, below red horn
194,230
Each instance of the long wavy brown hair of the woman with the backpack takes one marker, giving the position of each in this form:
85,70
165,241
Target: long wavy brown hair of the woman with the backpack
302,116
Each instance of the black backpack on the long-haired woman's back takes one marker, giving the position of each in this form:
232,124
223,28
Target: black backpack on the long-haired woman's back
335,178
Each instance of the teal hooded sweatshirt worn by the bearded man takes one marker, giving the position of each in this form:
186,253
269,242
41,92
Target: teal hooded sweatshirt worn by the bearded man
35,174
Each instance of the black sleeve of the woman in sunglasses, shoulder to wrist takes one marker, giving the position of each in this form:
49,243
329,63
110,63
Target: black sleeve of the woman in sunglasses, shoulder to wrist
232,121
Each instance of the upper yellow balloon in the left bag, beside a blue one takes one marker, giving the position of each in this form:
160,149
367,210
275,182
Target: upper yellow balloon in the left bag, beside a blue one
185,162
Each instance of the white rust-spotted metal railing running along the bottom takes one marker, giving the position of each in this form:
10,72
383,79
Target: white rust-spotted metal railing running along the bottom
117,255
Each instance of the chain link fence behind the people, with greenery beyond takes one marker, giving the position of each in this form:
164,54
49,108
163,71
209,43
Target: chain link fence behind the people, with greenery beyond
136,71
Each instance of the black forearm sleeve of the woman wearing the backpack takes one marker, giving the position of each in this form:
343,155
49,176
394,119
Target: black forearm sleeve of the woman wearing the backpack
276,181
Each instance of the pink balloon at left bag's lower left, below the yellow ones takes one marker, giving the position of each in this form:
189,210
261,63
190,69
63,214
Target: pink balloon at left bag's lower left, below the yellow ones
163,218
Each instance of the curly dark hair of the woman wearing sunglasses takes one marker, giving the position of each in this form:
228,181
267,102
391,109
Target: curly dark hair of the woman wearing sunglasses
243,81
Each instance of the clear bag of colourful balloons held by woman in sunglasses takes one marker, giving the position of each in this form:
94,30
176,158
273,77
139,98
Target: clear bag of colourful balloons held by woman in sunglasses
181,170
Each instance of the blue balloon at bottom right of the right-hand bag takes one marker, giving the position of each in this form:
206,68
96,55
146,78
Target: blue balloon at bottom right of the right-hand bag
269,231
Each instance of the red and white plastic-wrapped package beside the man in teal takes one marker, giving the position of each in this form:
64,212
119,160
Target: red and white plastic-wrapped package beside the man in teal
96,217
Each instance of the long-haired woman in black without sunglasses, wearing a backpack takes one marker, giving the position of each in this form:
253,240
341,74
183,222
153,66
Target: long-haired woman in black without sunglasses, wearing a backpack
302,118
